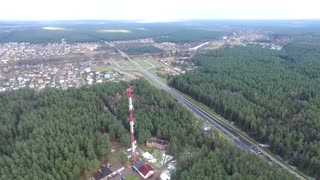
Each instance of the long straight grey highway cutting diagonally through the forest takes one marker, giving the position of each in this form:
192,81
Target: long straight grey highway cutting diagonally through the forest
230,133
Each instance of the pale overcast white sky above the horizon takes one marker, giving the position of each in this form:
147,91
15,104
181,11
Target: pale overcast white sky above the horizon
157,10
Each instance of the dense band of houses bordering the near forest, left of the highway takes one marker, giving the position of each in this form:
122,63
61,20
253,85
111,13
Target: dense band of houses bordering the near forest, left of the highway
60,76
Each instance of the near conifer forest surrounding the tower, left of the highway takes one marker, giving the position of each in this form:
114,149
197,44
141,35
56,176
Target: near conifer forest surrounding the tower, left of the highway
56,134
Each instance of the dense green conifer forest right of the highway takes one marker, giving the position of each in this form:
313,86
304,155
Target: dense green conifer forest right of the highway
272,95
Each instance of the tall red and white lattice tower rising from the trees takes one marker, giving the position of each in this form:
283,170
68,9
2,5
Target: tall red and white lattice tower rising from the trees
131,121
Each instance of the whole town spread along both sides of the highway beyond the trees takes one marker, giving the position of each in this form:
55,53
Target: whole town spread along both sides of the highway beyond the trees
64,65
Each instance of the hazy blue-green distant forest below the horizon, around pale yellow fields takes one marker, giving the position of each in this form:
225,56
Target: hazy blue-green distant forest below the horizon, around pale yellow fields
90,31
